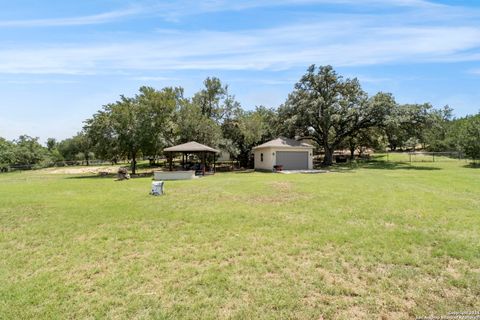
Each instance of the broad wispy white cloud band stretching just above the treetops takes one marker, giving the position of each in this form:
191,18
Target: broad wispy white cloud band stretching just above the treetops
340,43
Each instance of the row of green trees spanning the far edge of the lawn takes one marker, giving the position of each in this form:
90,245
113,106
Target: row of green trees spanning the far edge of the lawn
333,112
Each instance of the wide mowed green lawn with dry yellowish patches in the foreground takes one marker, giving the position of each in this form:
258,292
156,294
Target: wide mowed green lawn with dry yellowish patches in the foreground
379,240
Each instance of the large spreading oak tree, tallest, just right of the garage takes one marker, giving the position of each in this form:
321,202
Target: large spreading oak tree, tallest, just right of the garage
329,109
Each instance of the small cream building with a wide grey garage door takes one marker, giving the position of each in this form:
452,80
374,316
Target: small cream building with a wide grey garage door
288,153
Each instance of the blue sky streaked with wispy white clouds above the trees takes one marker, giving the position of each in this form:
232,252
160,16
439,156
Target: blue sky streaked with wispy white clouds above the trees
60,61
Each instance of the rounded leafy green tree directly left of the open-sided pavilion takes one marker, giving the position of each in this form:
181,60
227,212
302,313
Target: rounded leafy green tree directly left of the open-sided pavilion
142,125
